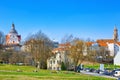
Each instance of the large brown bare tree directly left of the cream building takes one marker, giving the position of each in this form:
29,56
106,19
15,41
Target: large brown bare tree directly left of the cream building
40,47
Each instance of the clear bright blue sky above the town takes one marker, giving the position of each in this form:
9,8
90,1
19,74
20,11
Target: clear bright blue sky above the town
94,19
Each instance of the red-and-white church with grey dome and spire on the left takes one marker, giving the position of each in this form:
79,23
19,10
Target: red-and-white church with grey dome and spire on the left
12,38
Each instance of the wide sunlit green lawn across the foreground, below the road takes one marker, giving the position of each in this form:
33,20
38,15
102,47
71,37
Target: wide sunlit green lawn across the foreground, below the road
9,72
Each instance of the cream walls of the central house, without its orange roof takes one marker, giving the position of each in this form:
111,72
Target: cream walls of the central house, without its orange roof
54,62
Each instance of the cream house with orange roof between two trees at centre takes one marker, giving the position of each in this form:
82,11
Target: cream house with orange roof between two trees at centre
60,55
